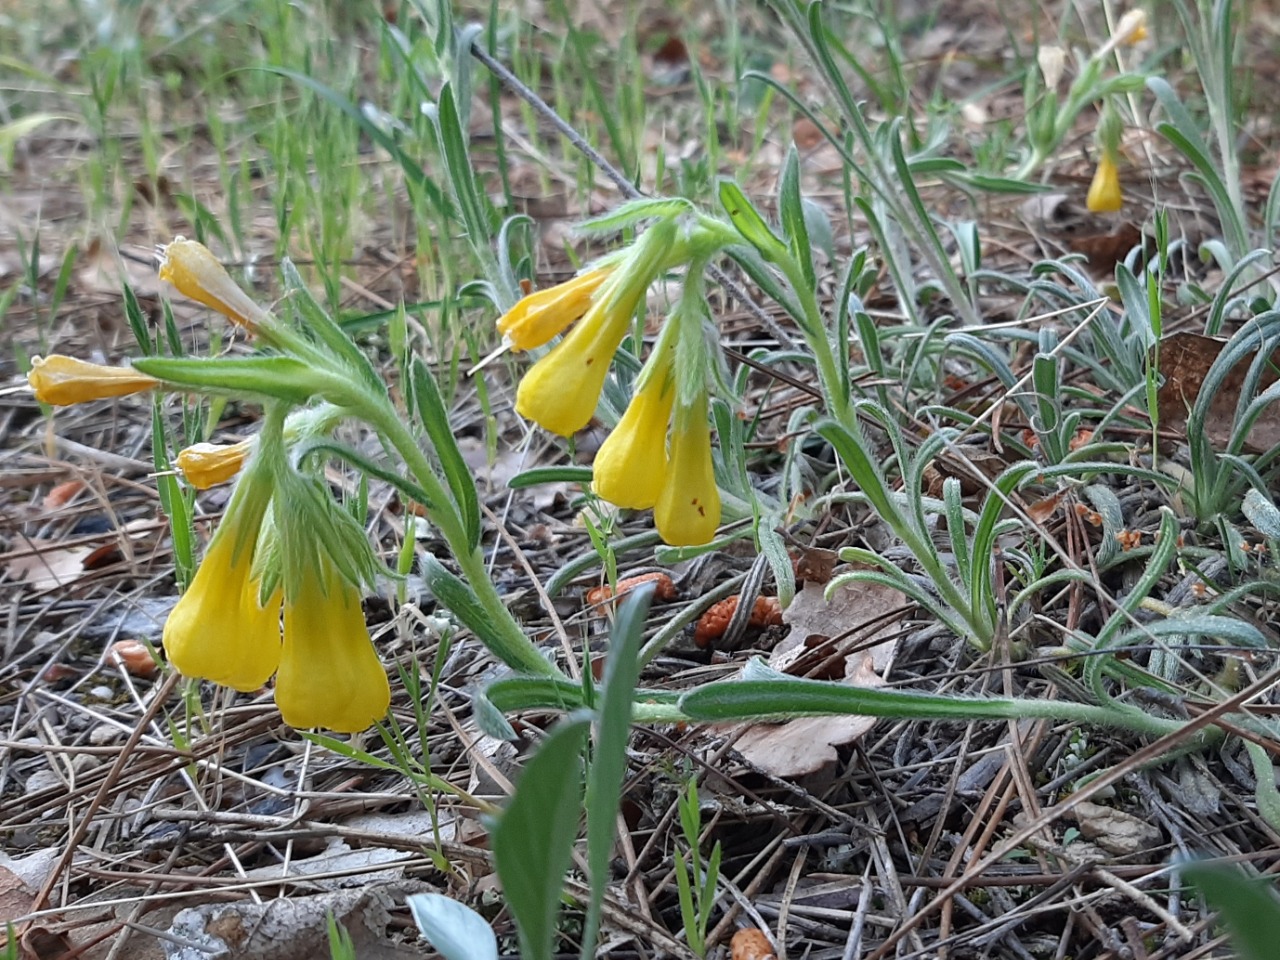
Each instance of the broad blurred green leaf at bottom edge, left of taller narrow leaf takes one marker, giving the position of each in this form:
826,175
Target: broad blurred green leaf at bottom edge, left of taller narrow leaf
534,838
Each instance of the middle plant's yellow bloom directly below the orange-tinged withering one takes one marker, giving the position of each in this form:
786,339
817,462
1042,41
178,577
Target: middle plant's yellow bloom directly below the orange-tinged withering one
560,392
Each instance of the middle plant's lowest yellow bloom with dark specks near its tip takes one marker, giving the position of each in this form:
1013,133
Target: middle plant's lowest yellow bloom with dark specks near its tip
688,509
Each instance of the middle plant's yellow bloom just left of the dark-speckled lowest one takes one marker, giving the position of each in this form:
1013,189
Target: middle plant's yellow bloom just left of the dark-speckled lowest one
632,465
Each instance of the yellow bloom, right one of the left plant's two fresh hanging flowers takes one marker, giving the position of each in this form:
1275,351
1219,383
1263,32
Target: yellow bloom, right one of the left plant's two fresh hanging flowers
330,674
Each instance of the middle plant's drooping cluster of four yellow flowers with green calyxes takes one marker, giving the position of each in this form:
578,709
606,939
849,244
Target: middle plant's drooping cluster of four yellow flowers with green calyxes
660,455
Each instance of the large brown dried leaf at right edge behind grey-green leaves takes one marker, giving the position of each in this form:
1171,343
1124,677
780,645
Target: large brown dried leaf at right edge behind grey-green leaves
1185,362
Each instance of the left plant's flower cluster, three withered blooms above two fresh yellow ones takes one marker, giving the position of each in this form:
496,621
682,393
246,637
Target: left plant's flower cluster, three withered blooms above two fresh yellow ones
277,592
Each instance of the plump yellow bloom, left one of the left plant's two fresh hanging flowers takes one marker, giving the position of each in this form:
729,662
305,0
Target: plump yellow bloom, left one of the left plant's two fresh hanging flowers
220,632
